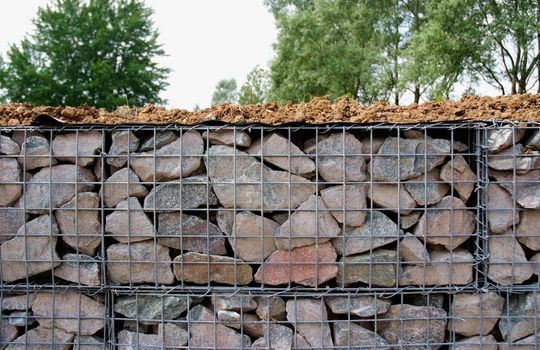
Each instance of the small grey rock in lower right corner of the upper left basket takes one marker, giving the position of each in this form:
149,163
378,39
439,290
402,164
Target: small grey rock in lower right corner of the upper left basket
81,269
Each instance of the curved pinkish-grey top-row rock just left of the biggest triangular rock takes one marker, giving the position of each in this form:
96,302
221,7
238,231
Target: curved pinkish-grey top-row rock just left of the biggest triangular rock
175,160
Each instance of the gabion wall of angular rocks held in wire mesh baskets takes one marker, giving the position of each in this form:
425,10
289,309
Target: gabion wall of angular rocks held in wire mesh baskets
291,237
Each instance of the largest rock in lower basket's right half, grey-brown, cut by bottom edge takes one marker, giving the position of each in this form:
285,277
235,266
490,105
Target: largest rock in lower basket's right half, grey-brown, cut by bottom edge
411,327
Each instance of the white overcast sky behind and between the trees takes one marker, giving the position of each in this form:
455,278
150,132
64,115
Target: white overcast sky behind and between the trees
206,41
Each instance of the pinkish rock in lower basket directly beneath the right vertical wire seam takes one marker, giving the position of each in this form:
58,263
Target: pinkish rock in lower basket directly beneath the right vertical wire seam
475,314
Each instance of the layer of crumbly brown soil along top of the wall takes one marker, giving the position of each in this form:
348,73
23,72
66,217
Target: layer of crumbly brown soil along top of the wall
318,111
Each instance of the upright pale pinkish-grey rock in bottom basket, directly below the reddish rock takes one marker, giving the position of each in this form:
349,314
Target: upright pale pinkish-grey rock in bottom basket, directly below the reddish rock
309,317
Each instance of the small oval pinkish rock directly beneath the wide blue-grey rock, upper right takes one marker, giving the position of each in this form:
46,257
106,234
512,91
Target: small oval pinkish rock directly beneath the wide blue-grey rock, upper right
386,196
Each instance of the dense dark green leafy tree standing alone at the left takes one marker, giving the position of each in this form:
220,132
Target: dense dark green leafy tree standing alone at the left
96,52
